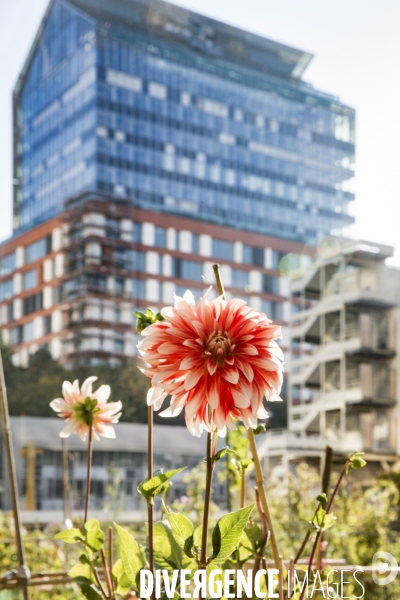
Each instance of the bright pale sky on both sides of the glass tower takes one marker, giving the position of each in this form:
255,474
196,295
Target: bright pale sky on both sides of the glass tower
356,47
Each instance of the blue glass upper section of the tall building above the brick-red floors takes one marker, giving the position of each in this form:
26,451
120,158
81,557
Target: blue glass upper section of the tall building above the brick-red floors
152,104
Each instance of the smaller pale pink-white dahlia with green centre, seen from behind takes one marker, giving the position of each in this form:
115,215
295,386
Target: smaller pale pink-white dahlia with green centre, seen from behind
82,408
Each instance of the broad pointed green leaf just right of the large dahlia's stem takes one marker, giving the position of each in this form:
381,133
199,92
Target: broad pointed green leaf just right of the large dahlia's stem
227,533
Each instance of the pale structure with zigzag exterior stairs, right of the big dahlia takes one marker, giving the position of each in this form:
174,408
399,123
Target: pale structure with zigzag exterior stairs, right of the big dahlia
343,380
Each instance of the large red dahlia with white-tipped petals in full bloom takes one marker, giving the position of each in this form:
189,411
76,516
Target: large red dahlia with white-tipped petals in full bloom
217,360
